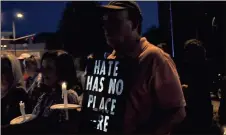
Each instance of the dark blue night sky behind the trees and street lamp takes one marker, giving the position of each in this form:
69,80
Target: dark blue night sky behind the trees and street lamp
44,16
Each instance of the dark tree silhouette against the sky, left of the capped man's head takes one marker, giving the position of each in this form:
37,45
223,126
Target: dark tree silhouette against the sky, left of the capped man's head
80,28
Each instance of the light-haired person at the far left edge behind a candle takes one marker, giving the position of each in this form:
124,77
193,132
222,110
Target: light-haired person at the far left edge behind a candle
12,89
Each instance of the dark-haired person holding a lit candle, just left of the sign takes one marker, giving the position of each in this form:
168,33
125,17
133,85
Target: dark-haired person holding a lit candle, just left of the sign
56,67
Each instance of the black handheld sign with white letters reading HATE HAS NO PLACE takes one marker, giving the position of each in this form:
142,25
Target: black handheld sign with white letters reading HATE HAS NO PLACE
106,89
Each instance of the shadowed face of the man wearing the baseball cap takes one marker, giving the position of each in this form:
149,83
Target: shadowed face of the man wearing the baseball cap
117,28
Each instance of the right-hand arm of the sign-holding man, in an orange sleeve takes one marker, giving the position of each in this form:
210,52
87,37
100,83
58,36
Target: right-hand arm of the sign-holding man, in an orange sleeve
169,96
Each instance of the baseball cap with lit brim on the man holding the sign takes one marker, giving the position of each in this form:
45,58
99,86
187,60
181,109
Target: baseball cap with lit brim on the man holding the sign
123,5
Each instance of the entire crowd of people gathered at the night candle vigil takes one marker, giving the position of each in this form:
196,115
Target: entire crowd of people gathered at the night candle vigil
161,100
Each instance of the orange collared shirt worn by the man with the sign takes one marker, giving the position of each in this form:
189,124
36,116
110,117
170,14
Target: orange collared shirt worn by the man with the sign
156,84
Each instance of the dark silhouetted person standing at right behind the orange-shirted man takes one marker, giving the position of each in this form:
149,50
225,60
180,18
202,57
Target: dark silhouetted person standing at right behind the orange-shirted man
195,82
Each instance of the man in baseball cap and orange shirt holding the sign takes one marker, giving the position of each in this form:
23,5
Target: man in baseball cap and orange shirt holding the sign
156,102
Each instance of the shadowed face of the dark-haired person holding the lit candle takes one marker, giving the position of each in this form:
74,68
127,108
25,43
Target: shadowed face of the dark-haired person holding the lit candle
49,72
